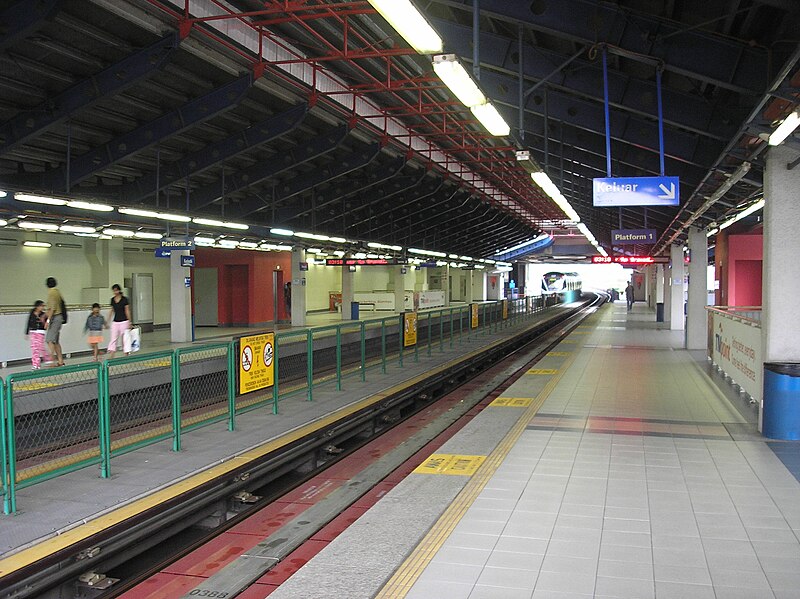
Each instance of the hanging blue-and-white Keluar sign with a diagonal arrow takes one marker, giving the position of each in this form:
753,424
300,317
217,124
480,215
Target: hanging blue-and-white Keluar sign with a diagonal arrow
636,191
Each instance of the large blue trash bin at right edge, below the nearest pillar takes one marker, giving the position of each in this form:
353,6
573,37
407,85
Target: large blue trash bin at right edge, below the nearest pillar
781,401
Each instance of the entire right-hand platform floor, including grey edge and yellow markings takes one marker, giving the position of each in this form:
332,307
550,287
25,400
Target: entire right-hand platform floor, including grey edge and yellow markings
620,469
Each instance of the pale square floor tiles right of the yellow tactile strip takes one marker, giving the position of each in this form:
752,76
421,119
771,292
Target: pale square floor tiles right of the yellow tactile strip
624,484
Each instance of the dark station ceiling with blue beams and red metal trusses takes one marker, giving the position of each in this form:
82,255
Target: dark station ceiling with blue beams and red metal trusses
342,130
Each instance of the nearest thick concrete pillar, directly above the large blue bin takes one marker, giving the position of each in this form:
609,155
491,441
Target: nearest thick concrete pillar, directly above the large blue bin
780,326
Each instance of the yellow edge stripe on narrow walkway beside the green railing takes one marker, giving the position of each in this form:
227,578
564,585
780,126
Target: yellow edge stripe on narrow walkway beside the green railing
62,541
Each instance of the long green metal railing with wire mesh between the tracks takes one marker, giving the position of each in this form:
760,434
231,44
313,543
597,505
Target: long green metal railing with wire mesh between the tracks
59,420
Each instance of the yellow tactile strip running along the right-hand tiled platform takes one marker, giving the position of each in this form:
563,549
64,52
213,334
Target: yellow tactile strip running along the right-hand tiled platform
410,570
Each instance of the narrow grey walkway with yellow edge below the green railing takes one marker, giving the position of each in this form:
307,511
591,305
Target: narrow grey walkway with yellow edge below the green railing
57,513
